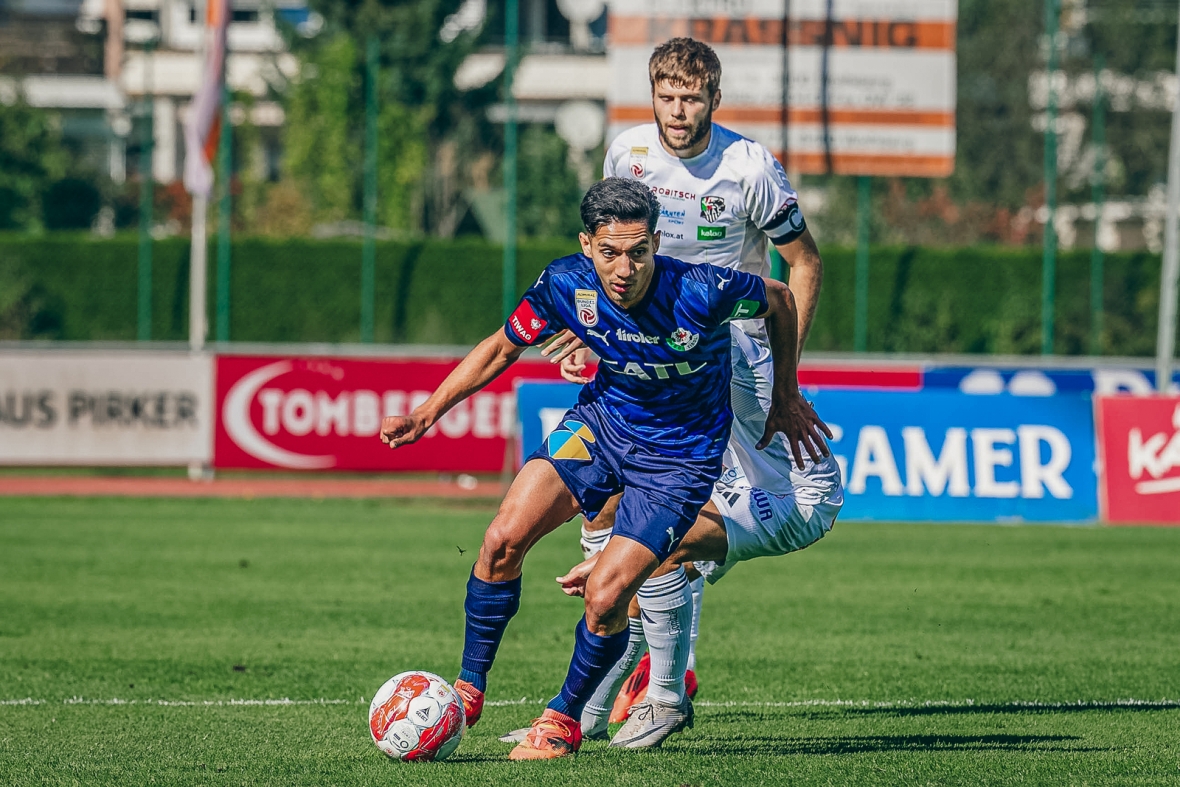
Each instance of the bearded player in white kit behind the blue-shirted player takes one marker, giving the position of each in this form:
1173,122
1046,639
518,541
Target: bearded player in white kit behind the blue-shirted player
724,200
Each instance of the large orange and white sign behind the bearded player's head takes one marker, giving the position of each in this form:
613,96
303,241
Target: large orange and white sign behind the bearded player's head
890,77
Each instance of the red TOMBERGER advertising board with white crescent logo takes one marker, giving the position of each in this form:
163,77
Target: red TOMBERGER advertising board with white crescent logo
325,414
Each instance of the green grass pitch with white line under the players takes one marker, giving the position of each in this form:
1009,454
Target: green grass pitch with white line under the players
140,639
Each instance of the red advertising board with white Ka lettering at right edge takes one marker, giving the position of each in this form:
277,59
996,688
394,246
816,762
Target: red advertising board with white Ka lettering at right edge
1139,450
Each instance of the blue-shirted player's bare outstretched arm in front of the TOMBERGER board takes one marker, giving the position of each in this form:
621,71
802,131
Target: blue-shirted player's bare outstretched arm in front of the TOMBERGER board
482,365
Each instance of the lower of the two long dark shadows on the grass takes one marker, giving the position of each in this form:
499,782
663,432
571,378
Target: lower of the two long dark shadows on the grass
789,746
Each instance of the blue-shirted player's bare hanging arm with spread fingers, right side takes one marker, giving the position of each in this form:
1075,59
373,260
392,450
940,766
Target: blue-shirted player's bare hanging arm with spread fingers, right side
790,412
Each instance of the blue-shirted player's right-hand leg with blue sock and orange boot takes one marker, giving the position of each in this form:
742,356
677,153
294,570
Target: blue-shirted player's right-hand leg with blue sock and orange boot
600,640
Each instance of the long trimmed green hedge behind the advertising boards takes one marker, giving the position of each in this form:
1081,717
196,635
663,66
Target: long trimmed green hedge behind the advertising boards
974,300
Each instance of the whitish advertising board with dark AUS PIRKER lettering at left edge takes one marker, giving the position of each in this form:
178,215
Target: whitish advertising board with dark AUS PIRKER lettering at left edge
106,408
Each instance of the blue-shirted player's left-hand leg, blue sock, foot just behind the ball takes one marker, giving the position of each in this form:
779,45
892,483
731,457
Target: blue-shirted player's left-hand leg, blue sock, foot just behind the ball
537,503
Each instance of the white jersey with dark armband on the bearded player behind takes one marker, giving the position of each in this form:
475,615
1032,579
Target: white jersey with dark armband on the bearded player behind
723,207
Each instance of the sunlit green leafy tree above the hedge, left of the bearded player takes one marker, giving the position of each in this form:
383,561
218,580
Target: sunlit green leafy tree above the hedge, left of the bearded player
423,115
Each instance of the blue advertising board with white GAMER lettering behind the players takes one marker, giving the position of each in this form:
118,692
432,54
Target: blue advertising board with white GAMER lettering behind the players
933,456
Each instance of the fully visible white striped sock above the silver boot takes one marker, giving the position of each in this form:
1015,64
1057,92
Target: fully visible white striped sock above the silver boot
667,607
